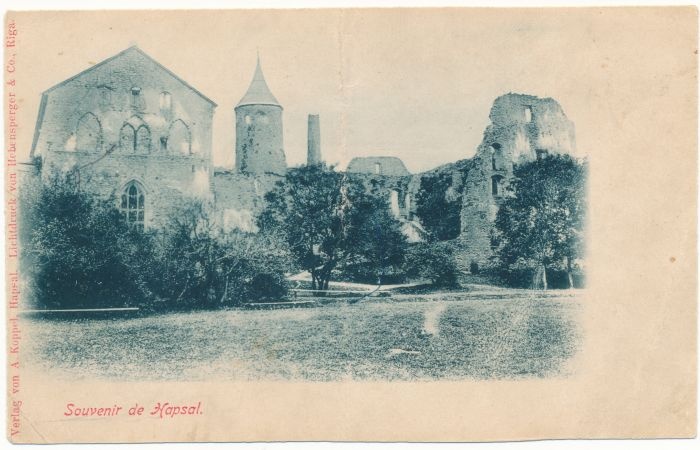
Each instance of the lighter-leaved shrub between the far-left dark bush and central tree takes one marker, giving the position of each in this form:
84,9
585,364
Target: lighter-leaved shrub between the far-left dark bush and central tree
205,268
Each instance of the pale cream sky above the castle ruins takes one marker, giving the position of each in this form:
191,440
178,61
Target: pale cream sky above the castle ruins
416,84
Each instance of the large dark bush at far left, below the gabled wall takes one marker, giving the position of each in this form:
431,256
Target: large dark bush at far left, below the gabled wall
79,251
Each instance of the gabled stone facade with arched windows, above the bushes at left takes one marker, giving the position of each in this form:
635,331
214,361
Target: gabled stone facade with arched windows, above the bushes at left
129,120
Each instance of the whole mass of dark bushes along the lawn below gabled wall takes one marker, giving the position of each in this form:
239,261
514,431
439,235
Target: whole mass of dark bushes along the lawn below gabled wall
80,253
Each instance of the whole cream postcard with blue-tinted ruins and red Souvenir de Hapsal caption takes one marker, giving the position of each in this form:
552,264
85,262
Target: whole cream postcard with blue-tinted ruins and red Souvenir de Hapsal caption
292,204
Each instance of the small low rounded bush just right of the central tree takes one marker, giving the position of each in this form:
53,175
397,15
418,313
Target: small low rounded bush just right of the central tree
433,261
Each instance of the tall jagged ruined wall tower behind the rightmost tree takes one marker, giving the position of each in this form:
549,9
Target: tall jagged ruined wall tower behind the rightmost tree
523,127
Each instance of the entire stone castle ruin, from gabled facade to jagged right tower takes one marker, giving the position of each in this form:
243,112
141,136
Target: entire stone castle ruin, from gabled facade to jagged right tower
132,129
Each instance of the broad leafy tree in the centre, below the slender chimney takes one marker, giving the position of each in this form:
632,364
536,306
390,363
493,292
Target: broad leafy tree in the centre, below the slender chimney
328,220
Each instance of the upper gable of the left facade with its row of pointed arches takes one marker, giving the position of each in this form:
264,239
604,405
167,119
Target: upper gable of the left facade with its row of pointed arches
89,112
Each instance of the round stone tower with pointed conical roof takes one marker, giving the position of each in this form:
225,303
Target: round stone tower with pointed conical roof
259,142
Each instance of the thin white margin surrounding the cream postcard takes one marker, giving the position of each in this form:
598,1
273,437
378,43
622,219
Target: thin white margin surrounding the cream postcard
291,4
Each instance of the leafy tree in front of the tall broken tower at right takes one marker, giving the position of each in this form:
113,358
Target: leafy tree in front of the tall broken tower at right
540,223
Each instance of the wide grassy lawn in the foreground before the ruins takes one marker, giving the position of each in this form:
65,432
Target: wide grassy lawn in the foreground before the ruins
482,334
